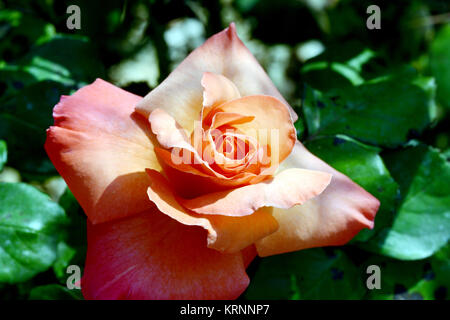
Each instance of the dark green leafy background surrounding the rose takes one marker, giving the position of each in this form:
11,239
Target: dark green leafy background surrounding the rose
374,104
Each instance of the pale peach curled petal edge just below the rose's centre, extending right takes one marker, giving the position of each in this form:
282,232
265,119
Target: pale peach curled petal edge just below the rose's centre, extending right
288,188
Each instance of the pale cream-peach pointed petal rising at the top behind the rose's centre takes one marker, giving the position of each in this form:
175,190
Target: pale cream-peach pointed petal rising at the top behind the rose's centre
181,94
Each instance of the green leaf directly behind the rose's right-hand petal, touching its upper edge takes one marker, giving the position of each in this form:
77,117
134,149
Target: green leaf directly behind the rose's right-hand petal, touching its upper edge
363,165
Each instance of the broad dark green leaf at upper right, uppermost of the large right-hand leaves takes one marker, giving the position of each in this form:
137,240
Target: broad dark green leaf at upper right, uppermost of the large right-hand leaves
386,112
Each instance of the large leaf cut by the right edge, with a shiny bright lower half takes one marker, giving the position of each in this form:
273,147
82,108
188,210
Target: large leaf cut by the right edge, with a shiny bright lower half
422,224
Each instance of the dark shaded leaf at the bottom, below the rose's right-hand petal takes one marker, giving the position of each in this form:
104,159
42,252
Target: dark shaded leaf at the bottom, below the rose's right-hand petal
307,274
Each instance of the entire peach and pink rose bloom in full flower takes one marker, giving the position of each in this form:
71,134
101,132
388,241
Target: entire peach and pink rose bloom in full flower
184,187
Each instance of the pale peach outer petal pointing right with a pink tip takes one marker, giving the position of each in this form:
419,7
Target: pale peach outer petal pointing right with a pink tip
332,218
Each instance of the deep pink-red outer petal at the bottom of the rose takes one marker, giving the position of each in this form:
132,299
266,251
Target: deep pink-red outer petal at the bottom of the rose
150,256
